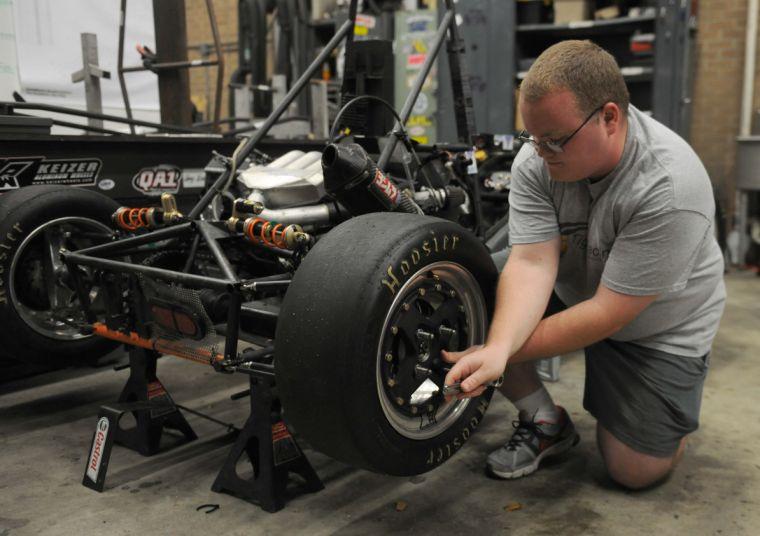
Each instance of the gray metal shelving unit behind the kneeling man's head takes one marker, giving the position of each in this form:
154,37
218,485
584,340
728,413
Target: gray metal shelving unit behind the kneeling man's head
496,46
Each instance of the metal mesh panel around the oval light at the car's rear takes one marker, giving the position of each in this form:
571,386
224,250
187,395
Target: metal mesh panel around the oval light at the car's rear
209,345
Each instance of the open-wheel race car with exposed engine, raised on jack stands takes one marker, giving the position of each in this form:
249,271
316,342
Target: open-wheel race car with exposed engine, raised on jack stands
342,273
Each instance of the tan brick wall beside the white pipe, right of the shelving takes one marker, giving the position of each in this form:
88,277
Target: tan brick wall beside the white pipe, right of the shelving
718,90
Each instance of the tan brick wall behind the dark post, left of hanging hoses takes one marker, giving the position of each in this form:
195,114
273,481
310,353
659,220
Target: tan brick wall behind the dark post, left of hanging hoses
203,79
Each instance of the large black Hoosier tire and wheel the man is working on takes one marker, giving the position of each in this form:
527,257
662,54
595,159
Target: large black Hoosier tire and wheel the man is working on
335,333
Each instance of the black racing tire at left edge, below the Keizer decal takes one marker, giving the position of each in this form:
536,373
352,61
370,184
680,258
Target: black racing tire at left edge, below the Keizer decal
29,217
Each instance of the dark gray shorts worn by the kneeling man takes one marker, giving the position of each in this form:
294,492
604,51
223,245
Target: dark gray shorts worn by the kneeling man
646,398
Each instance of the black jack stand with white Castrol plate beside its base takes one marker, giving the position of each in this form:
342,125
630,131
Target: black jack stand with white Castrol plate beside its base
145,397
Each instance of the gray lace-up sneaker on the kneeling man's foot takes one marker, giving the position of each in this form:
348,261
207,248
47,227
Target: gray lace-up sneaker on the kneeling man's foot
532,442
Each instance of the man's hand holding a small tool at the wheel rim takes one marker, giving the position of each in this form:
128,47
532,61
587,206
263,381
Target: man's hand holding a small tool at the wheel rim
475,367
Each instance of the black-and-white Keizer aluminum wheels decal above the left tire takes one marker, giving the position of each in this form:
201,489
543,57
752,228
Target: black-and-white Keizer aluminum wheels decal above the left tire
25,171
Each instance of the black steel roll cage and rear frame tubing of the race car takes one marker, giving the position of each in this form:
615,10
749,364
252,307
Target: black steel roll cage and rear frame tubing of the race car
209,231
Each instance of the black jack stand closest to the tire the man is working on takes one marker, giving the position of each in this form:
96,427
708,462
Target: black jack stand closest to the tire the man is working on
273,452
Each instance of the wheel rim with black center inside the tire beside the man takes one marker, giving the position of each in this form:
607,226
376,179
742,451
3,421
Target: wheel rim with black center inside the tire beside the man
439,307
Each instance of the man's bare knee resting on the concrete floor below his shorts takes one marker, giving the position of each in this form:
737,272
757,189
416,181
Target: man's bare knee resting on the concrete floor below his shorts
630,468
